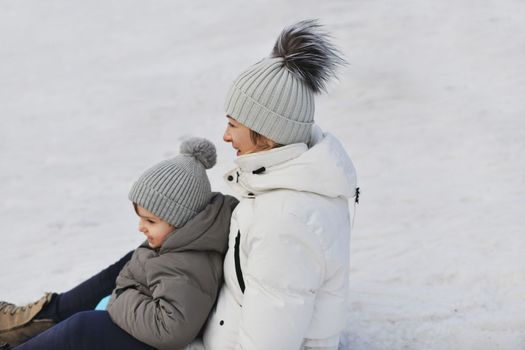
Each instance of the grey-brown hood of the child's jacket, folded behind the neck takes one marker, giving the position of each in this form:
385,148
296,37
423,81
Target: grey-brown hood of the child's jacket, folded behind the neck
207,231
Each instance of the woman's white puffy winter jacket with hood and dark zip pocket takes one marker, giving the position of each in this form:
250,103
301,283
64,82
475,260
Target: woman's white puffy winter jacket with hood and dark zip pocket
293,224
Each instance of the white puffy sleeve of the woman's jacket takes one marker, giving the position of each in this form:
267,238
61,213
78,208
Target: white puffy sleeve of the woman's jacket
283,272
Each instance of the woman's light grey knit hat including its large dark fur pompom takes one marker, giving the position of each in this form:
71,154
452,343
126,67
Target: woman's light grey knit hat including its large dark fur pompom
275,97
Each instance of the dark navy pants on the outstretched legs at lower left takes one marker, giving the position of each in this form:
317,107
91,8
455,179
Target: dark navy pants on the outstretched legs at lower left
79,327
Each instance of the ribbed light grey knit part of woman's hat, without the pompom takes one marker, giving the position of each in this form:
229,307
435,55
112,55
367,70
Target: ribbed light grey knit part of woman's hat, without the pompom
272,101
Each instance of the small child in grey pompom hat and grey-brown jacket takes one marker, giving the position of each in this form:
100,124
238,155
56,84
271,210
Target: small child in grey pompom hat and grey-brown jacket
164,293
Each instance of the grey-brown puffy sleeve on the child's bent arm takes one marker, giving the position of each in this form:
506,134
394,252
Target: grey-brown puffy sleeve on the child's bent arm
177,308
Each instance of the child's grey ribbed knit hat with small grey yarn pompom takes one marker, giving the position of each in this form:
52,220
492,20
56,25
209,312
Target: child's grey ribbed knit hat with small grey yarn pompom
177,189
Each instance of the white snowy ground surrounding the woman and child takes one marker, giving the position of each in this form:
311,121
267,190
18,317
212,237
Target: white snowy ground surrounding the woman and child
431,109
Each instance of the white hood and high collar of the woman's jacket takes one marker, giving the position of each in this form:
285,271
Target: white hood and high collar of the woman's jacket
325,169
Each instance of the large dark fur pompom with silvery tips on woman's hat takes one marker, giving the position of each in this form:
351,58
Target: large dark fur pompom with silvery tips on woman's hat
308,53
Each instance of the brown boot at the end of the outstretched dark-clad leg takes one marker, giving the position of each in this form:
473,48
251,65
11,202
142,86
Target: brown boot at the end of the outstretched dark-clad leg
17,323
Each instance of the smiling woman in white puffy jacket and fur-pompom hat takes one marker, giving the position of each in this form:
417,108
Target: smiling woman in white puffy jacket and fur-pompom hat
286,268
